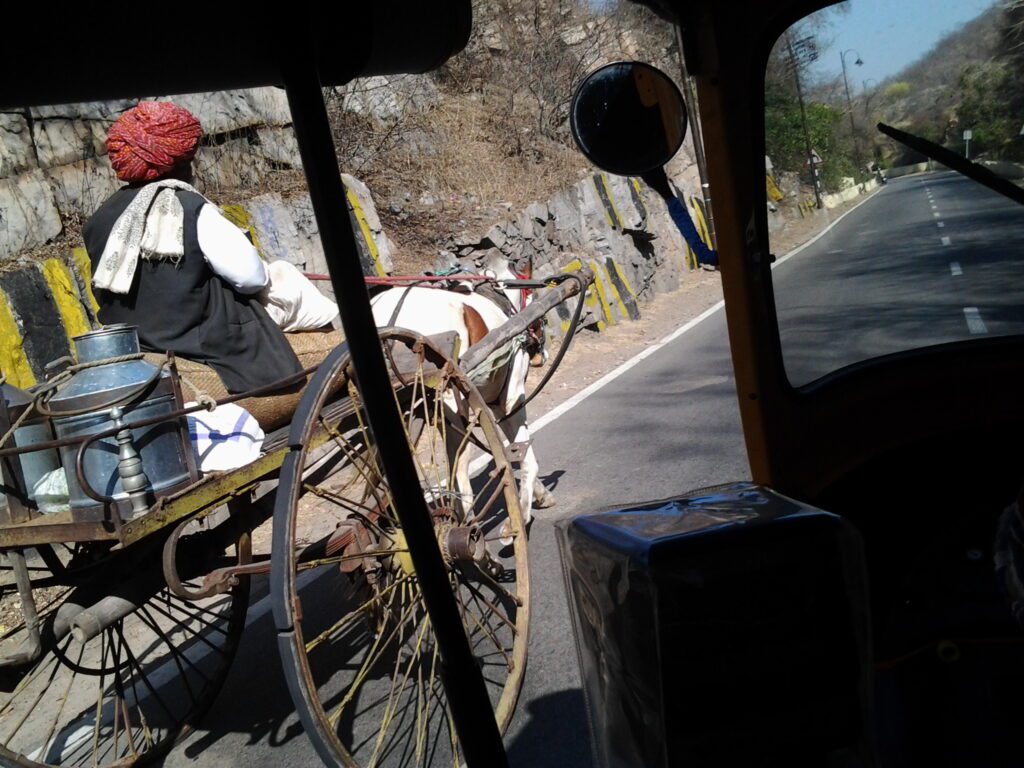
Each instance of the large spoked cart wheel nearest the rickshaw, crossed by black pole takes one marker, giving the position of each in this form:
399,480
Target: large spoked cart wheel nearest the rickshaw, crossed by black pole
359,652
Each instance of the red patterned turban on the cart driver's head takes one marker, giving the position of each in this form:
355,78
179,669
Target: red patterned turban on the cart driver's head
150,140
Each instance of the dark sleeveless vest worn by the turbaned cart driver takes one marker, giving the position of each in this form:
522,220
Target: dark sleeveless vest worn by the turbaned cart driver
189,311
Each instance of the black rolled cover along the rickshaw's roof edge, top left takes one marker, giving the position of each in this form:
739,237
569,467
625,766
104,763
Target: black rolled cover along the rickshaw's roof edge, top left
147,50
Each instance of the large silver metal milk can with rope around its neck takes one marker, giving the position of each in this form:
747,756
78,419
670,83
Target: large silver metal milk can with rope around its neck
109,396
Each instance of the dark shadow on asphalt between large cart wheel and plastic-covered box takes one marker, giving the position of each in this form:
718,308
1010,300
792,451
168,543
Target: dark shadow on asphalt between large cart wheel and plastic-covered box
556,735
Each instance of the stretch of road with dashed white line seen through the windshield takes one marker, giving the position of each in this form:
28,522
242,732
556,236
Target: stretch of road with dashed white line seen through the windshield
928,260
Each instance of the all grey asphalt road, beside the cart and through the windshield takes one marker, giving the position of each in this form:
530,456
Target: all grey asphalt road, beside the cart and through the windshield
880,281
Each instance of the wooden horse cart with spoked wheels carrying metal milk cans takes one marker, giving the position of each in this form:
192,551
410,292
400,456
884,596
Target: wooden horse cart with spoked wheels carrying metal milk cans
133,601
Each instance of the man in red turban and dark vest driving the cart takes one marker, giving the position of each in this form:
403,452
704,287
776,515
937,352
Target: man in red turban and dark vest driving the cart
166,261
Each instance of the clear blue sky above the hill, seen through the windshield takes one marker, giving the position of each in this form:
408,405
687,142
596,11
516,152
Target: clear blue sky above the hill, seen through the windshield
889,34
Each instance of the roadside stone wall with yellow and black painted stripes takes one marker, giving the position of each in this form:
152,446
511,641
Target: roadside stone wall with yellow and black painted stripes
54,169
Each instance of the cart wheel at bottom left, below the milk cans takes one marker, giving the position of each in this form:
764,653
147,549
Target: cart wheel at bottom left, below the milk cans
126,695
